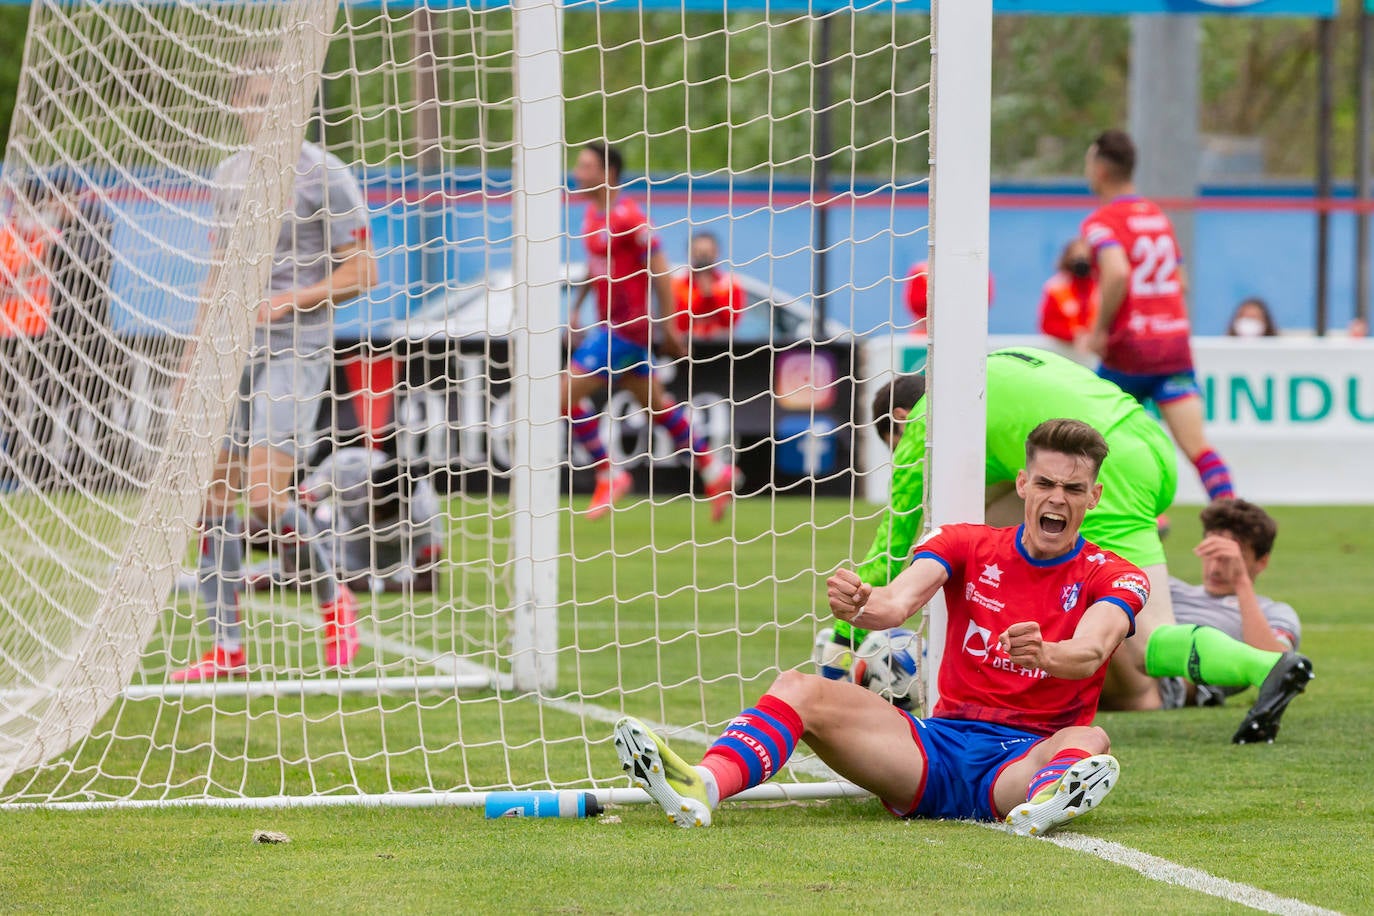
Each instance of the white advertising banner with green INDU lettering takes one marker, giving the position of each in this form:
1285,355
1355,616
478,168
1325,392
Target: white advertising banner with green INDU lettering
1292,417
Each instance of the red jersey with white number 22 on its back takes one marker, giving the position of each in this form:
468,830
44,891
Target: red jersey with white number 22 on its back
1149,334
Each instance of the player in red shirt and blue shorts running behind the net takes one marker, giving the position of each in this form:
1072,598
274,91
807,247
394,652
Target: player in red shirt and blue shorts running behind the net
623,262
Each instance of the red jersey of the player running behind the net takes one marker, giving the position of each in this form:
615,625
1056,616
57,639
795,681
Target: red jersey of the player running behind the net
619,247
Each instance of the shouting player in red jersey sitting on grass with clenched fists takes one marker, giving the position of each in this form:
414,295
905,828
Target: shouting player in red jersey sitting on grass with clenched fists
1035,613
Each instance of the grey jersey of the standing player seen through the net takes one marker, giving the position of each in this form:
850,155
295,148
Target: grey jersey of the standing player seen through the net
329,215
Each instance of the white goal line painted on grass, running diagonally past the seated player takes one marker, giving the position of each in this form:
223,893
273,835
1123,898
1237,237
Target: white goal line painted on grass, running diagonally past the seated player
1152,867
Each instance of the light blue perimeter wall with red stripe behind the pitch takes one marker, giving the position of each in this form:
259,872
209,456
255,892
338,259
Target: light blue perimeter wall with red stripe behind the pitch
1252,241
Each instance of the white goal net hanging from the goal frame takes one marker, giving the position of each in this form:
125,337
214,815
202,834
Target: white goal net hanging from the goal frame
252,248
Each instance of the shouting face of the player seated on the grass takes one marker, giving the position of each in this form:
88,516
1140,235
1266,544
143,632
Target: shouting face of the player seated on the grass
1059,491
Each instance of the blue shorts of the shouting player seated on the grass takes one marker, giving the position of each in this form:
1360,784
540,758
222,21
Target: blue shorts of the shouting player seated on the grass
964,760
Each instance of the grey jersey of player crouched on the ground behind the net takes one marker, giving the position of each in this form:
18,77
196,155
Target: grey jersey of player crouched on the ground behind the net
344,480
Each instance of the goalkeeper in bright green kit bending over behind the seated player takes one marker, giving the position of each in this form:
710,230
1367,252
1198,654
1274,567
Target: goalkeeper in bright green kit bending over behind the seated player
1026,388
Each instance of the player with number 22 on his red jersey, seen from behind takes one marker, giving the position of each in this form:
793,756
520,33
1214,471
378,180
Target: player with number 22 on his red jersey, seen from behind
1142,329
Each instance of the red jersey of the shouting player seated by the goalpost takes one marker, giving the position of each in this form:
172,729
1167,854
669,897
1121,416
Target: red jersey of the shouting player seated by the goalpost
994,584
